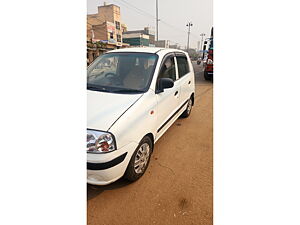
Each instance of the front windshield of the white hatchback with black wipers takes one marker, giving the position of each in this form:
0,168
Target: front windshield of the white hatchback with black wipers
121,72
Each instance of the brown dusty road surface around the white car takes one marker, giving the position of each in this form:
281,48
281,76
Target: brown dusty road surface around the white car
178,185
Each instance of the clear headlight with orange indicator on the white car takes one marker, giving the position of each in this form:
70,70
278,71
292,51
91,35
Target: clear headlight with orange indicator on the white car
100,142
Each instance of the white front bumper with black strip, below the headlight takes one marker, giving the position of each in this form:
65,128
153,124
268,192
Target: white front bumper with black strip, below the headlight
103,169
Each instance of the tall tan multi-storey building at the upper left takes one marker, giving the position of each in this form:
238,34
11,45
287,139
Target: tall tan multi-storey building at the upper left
105,26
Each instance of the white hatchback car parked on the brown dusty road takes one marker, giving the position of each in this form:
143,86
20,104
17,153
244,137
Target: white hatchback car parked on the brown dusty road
134,96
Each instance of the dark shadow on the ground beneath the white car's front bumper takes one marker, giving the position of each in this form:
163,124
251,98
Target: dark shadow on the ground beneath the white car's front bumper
95,190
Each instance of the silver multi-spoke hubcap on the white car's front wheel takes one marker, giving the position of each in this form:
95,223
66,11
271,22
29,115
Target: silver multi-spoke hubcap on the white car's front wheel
142,158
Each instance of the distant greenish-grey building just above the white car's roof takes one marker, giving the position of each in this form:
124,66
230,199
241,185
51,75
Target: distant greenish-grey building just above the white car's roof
140,38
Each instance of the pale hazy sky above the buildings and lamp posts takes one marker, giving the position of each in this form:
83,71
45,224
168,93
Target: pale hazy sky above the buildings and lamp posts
174,15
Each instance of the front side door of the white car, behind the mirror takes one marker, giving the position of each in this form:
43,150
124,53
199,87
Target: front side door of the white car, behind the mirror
168,100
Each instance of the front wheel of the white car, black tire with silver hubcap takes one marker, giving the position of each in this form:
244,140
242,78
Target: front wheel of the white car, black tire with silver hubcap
140,159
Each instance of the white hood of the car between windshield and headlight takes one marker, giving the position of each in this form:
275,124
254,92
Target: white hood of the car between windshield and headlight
103,108
